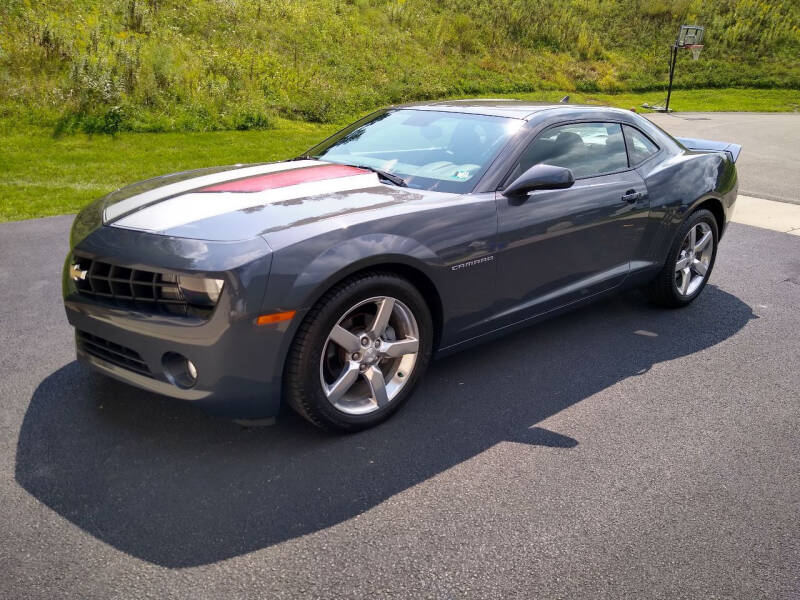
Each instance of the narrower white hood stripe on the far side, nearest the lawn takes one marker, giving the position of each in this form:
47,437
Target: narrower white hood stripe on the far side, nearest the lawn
124,206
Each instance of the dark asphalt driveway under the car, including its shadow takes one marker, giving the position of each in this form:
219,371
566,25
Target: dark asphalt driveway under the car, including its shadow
618,451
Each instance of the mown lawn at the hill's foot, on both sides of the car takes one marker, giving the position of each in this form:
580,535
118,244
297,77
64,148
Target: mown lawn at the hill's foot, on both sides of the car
43,175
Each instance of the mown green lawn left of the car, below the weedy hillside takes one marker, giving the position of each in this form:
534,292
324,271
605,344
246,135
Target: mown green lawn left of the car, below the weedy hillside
44,176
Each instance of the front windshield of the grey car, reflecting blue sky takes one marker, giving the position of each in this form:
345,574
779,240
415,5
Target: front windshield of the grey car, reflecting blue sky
431,150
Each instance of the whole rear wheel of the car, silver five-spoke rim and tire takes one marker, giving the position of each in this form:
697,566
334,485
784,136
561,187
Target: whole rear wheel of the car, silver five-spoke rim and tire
689,262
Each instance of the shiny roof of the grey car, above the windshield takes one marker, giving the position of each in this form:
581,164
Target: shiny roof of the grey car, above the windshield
500,107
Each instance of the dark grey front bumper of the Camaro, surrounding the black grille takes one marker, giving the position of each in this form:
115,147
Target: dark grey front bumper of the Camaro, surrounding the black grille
239,365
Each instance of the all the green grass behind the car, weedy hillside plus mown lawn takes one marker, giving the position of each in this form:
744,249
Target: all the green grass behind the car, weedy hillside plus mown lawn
249,77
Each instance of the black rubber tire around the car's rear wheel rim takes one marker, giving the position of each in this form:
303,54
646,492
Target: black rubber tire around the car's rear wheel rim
663,290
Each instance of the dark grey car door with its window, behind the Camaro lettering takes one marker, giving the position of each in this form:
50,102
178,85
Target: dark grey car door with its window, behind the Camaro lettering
559,246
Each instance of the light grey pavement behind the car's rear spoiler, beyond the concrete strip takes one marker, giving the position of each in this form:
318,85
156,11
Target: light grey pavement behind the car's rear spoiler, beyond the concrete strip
769,166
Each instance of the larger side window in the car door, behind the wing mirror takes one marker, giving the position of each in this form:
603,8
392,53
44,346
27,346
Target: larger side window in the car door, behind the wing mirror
587,149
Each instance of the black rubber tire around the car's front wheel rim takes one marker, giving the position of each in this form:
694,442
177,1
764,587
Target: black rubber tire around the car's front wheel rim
302,385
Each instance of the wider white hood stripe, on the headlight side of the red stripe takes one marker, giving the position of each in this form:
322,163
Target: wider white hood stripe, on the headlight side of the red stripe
189,208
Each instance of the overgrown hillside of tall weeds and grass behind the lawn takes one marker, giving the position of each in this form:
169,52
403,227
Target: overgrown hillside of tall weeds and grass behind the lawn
170,65
